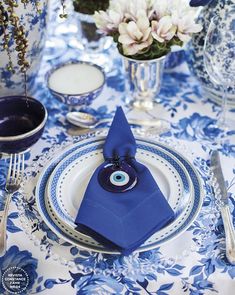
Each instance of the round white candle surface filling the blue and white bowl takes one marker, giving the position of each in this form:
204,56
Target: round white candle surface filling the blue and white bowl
76,79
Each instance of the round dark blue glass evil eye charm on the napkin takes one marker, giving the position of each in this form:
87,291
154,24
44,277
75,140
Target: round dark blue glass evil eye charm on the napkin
117,178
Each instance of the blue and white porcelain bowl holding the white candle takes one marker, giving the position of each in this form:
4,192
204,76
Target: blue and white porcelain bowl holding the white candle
78,99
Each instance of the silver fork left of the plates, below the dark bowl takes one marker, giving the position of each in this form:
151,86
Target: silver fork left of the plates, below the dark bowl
14,178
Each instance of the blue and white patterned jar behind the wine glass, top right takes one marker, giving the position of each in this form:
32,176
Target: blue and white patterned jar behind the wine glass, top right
195,51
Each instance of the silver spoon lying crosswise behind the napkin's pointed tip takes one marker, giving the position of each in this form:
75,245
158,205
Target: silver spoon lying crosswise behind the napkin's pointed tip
85,120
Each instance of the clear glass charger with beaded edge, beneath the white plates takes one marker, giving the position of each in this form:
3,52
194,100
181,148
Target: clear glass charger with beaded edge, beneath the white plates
67,253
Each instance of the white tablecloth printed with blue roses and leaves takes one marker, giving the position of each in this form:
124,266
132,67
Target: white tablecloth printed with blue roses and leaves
198,268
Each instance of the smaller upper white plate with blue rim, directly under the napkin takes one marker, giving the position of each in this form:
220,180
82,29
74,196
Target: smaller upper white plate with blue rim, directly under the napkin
69,180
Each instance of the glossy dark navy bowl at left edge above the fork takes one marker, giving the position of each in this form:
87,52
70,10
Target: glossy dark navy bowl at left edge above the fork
22,122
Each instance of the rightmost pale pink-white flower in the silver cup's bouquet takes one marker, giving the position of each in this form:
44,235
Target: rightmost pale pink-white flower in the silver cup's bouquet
186,26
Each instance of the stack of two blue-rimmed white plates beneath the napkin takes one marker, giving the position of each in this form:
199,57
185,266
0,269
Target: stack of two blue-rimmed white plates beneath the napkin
59,198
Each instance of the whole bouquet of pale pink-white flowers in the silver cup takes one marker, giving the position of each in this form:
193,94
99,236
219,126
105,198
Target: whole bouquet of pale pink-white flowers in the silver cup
147,29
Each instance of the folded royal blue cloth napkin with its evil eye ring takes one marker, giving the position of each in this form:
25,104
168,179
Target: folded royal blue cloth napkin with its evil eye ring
123,205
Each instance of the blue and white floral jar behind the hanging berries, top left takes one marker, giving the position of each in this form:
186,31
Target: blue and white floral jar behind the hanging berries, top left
34,24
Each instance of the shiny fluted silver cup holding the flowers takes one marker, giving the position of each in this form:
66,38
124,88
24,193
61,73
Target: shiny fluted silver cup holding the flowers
143,81
